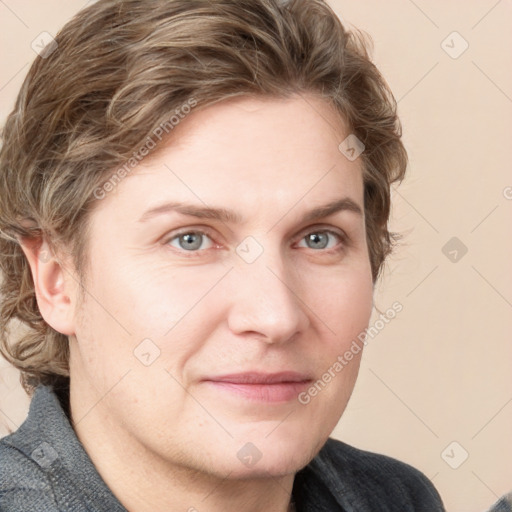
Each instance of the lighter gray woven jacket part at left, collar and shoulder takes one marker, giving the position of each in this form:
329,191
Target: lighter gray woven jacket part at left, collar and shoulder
43,465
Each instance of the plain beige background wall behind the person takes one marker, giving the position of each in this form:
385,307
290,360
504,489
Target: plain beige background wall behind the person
439,372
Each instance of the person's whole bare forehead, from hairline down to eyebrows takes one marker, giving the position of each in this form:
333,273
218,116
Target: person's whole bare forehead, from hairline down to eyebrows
252,154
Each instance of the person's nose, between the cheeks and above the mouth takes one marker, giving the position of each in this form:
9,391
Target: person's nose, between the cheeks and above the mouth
266,301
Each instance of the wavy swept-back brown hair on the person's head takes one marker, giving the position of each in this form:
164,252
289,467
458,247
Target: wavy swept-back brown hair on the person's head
118,71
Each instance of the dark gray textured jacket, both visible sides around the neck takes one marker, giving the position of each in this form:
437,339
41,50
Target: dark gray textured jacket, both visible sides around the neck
44,468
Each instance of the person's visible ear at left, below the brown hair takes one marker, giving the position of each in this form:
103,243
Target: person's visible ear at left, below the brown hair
54,285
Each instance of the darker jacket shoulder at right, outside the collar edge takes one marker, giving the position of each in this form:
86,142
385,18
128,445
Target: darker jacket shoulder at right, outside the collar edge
373,480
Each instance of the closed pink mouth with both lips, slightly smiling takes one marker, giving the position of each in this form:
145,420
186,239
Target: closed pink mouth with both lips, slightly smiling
262,387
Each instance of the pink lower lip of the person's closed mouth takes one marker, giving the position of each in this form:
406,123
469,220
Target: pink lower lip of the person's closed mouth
277,392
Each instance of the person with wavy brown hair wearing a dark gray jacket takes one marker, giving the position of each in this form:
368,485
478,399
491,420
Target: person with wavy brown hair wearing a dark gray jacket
196,197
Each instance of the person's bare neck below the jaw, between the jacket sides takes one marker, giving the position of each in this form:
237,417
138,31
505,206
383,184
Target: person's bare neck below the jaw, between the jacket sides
143,480
